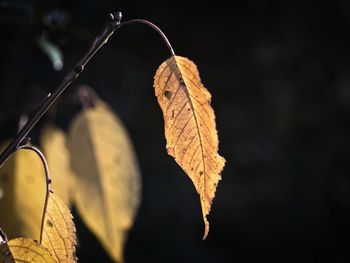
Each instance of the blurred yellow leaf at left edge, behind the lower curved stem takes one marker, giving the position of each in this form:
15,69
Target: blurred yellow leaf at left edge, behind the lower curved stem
22,180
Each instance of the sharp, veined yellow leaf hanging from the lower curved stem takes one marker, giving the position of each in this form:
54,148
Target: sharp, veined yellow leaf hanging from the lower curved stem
59,231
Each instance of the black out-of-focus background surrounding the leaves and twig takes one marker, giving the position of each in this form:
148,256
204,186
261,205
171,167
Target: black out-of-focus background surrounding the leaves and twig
279,73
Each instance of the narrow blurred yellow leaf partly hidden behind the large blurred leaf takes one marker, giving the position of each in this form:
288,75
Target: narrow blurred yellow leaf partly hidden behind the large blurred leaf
53,143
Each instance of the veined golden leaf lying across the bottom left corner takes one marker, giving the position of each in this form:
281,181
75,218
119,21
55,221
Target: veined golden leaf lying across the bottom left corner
24,250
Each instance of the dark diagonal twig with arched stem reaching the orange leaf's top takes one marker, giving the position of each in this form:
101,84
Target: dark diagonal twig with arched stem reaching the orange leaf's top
51,98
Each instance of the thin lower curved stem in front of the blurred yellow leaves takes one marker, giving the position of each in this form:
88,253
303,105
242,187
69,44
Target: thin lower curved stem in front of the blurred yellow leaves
48,183
